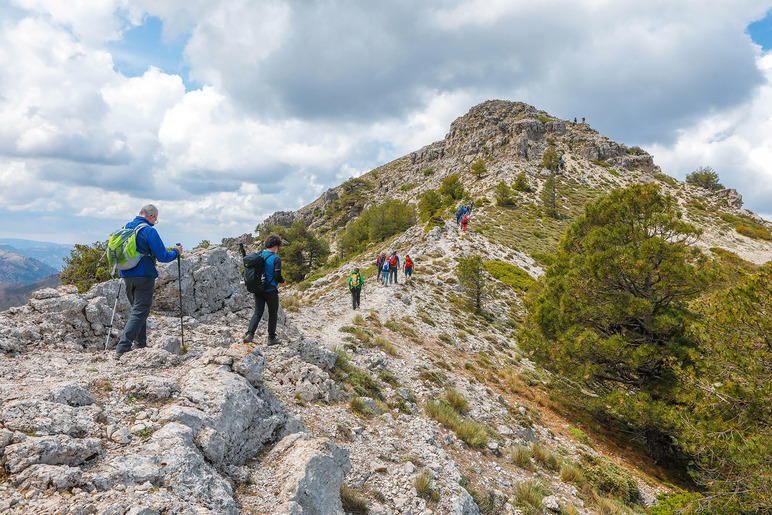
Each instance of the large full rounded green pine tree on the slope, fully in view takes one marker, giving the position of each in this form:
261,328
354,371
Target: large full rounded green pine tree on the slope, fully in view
611,310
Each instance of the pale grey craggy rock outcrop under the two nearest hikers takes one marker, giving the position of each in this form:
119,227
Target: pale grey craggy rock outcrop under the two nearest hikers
156,431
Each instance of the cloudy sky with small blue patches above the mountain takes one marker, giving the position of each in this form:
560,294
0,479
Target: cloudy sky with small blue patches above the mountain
223,112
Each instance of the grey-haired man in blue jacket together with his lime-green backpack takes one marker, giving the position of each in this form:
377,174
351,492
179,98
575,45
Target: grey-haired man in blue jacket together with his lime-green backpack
133,251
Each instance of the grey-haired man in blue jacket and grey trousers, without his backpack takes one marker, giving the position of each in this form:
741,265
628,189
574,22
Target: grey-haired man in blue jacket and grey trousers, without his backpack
140,280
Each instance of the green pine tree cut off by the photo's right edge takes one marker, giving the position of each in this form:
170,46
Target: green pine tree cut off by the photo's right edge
729,428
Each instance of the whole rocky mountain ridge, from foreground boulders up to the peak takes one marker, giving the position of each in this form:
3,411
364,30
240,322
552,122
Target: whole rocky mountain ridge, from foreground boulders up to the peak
343,416
